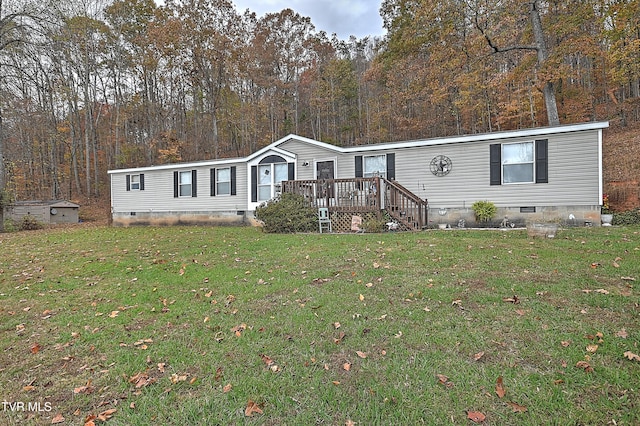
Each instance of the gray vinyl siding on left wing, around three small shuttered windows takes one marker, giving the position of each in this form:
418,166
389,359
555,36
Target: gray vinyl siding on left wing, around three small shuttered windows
157,195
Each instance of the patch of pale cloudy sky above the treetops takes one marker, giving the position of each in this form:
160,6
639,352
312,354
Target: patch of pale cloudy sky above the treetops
343,17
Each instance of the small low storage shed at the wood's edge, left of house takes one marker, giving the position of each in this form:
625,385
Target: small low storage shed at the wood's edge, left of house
47,212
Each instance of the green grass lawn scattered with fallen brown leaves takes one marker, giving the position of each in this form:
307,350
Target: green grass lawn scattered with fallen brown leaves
192,325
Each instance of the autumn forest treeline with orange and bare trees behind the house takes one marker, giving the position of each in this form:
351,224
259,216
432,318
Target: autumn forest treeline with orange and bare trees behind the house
92,85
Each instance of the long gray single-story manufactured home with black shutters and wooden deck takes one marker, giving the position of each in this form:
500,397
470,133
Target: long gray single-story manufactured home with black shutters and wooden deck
531,175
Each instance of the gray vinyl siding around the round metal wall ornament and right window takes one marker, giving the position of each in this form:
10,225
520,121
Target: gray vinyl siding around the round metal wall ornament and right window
572,166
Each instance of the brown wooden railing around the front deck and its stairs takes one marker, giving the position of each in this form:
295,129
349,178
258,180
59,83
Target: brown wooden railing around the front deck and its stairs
360,195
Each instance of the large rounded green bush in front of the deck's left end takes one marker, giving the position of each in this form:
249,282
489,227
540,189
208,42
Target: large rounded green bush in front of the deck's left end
287,213
